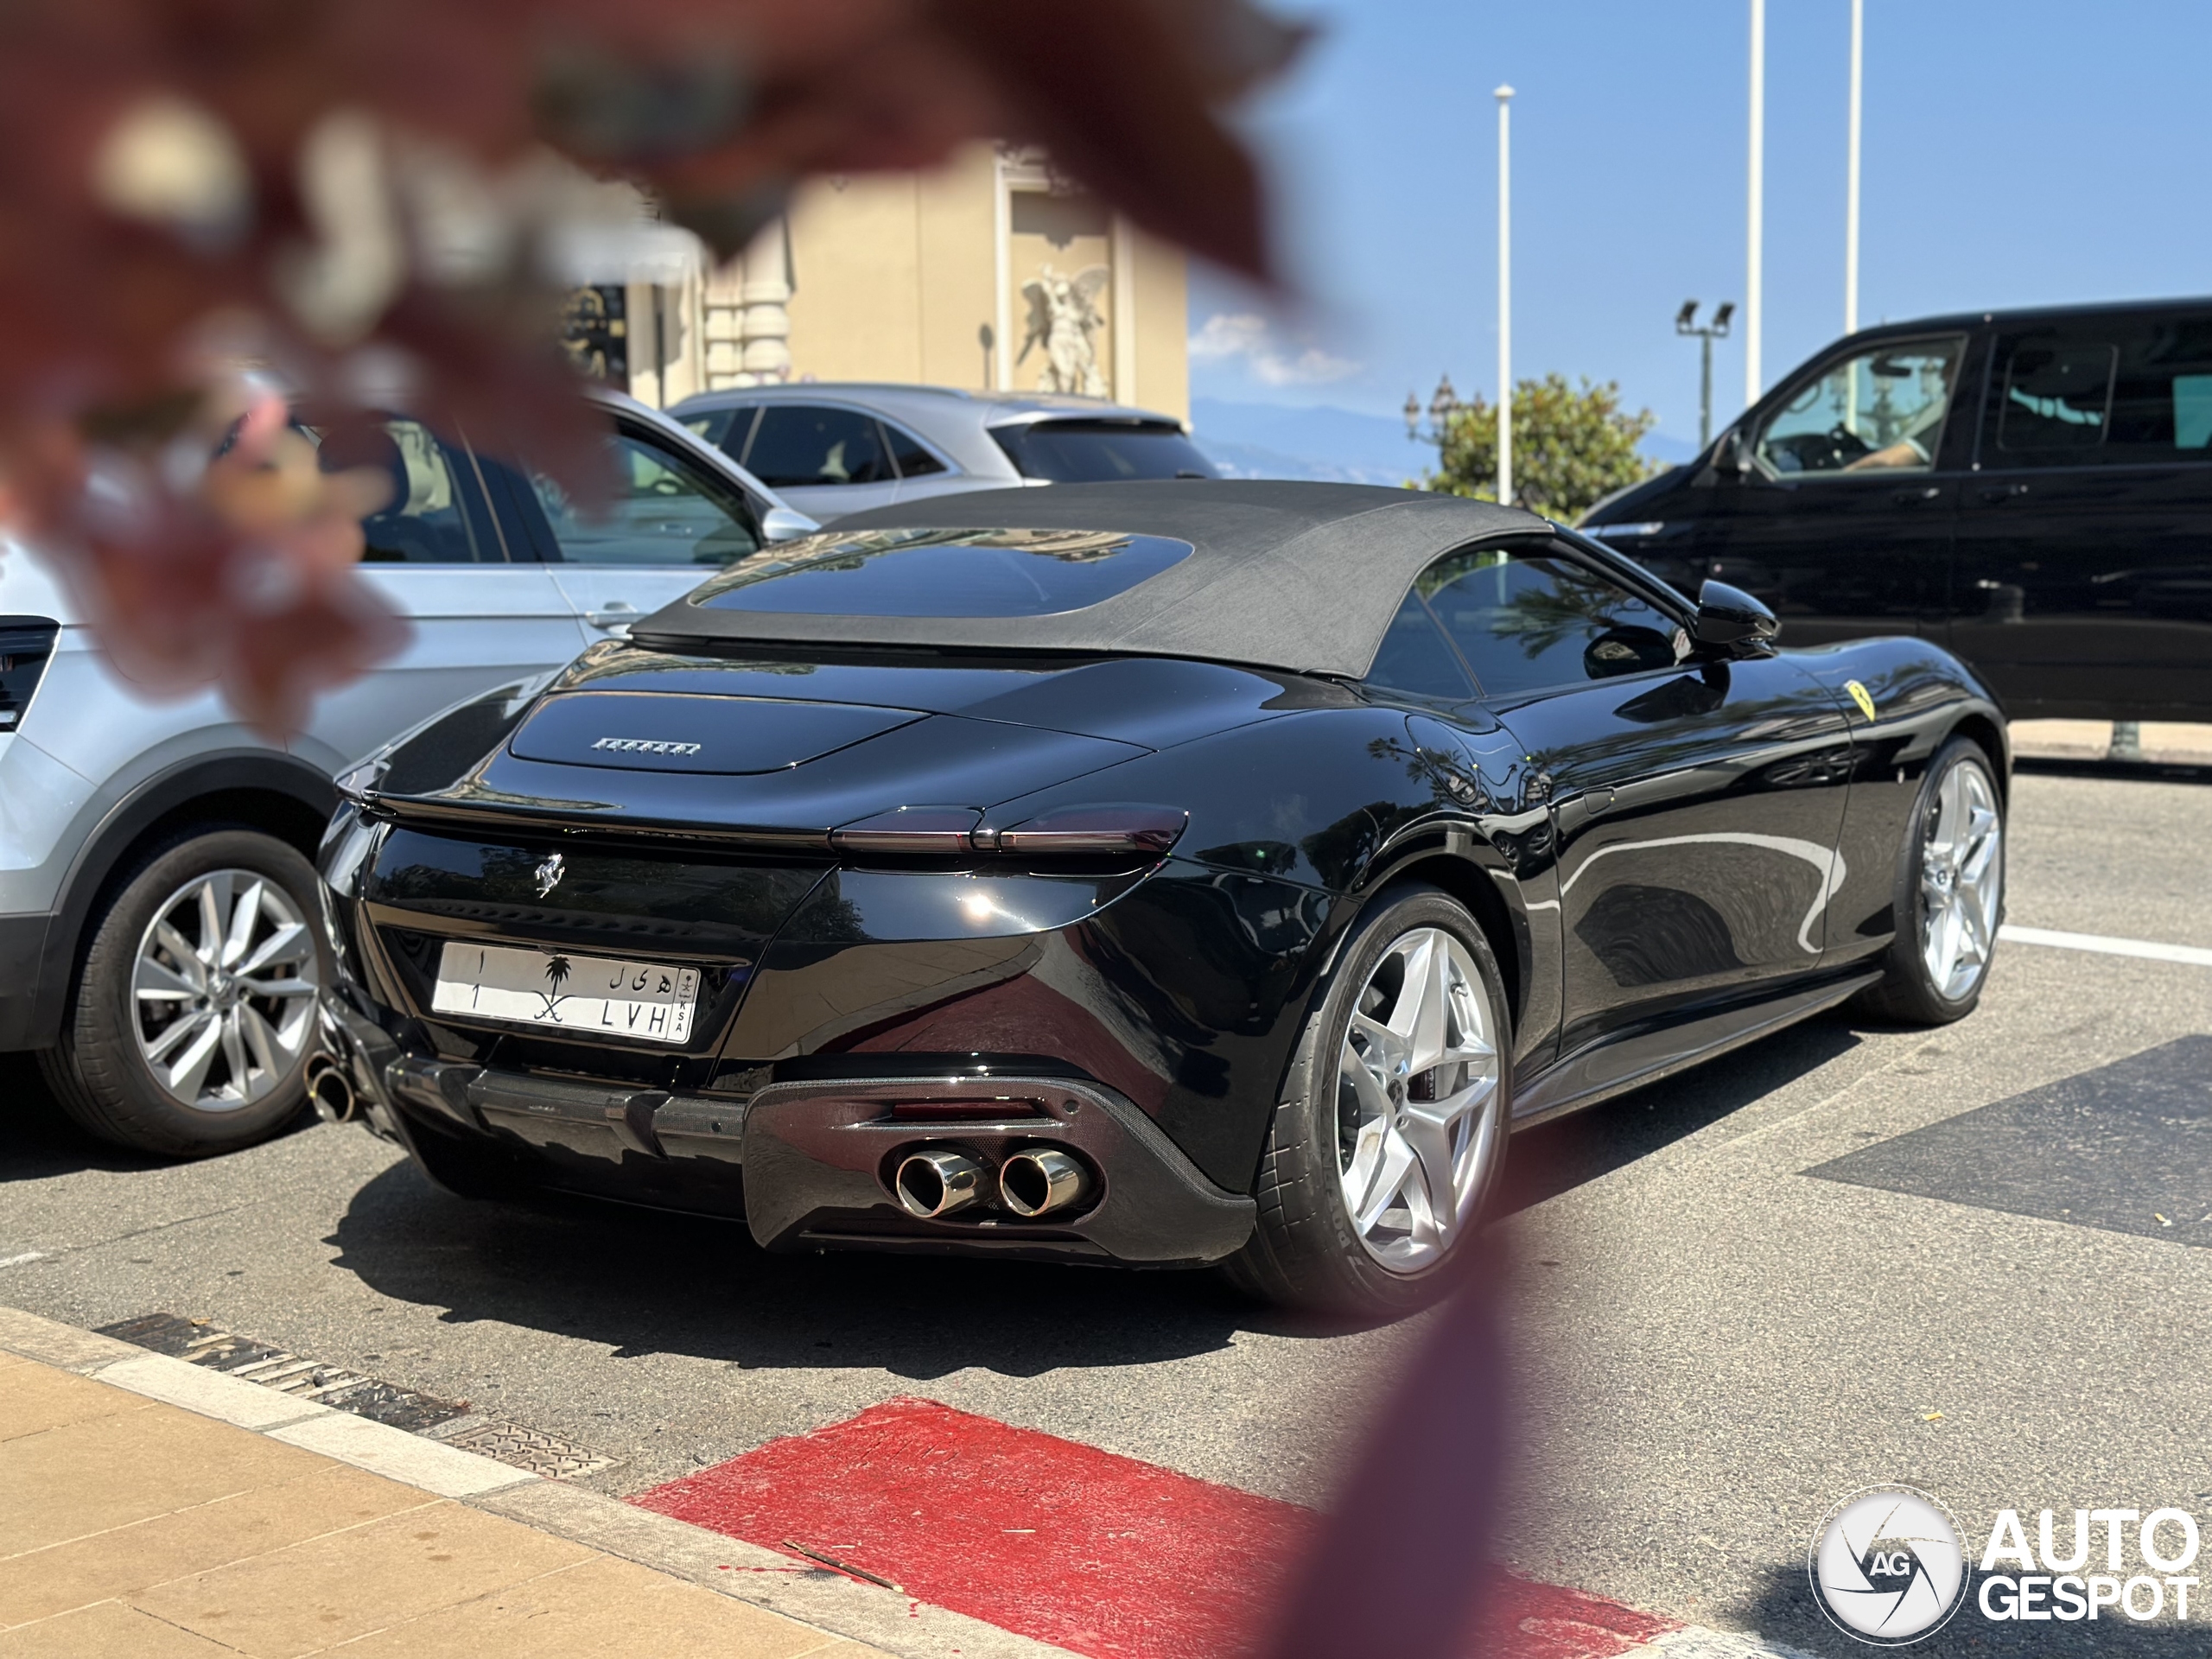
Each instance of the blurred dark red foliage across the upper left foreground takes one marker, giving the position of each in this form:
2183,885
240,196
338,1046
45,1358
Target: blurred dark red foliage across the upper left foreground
196,182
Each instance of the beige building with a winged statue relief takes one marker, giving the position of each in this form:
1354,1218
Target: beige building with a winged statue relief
990,273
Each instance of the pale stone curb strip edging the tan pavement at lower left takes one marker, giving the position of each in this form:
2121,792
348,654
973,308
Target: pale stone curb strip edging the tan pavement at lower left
831,1603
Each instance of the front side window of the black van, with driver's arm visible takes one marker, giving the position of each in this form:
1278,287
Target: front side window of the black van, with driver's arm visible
1881,410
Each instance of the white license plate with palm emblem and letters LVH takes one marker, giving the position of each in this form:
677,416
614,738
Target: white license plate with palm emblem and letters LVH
565,992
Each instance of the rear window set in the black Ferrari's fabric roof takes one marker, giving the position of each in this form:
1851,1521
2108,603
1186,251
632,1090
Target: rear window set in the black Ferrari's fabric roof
941,574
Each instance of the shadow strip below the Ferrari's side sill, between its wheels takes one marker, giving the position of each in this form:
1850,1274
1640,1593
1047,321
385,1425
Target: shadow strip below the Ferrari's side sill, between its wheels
1572,1151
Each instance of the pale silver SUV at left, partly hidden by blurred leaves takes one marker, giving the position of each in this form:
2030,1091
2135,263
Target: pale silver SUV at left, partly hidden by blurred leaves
160,943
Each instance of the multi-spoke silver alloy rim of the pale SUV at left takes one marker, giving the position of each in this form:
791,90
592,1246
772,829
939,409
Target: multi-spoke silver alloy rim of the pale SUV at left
225,990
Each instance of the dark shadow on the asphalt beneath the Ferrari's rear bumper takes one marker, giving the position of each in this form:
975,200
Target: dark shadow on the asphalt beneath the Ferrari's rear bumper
649,1282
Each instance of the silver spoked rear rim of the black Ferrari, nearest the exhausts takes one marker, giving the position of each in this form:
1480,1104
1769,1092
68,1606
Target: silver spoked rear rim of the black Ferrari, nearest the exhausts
1419,1118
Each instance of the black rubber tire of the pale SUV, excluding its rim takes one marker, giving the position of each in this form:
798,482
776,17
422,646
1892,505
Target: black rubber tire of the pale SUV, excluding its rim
98,1072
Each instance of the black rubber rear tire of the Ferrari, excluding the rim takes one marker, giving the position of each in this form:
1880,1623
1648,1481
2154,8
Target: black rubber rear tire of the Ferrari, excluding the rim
1306,1251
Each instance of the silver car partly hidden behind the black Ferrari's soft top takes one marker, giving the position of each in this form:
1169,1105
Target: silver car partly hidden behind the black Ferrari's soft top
844,448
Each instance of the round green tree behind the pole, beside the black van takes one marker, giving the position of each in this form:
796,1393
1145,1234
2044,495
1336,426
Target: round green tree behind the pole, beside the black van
1569,448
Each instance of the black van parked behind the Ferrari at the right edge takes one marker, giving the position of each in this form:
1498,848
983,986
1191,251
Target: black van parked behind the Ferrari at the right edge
2032,490
